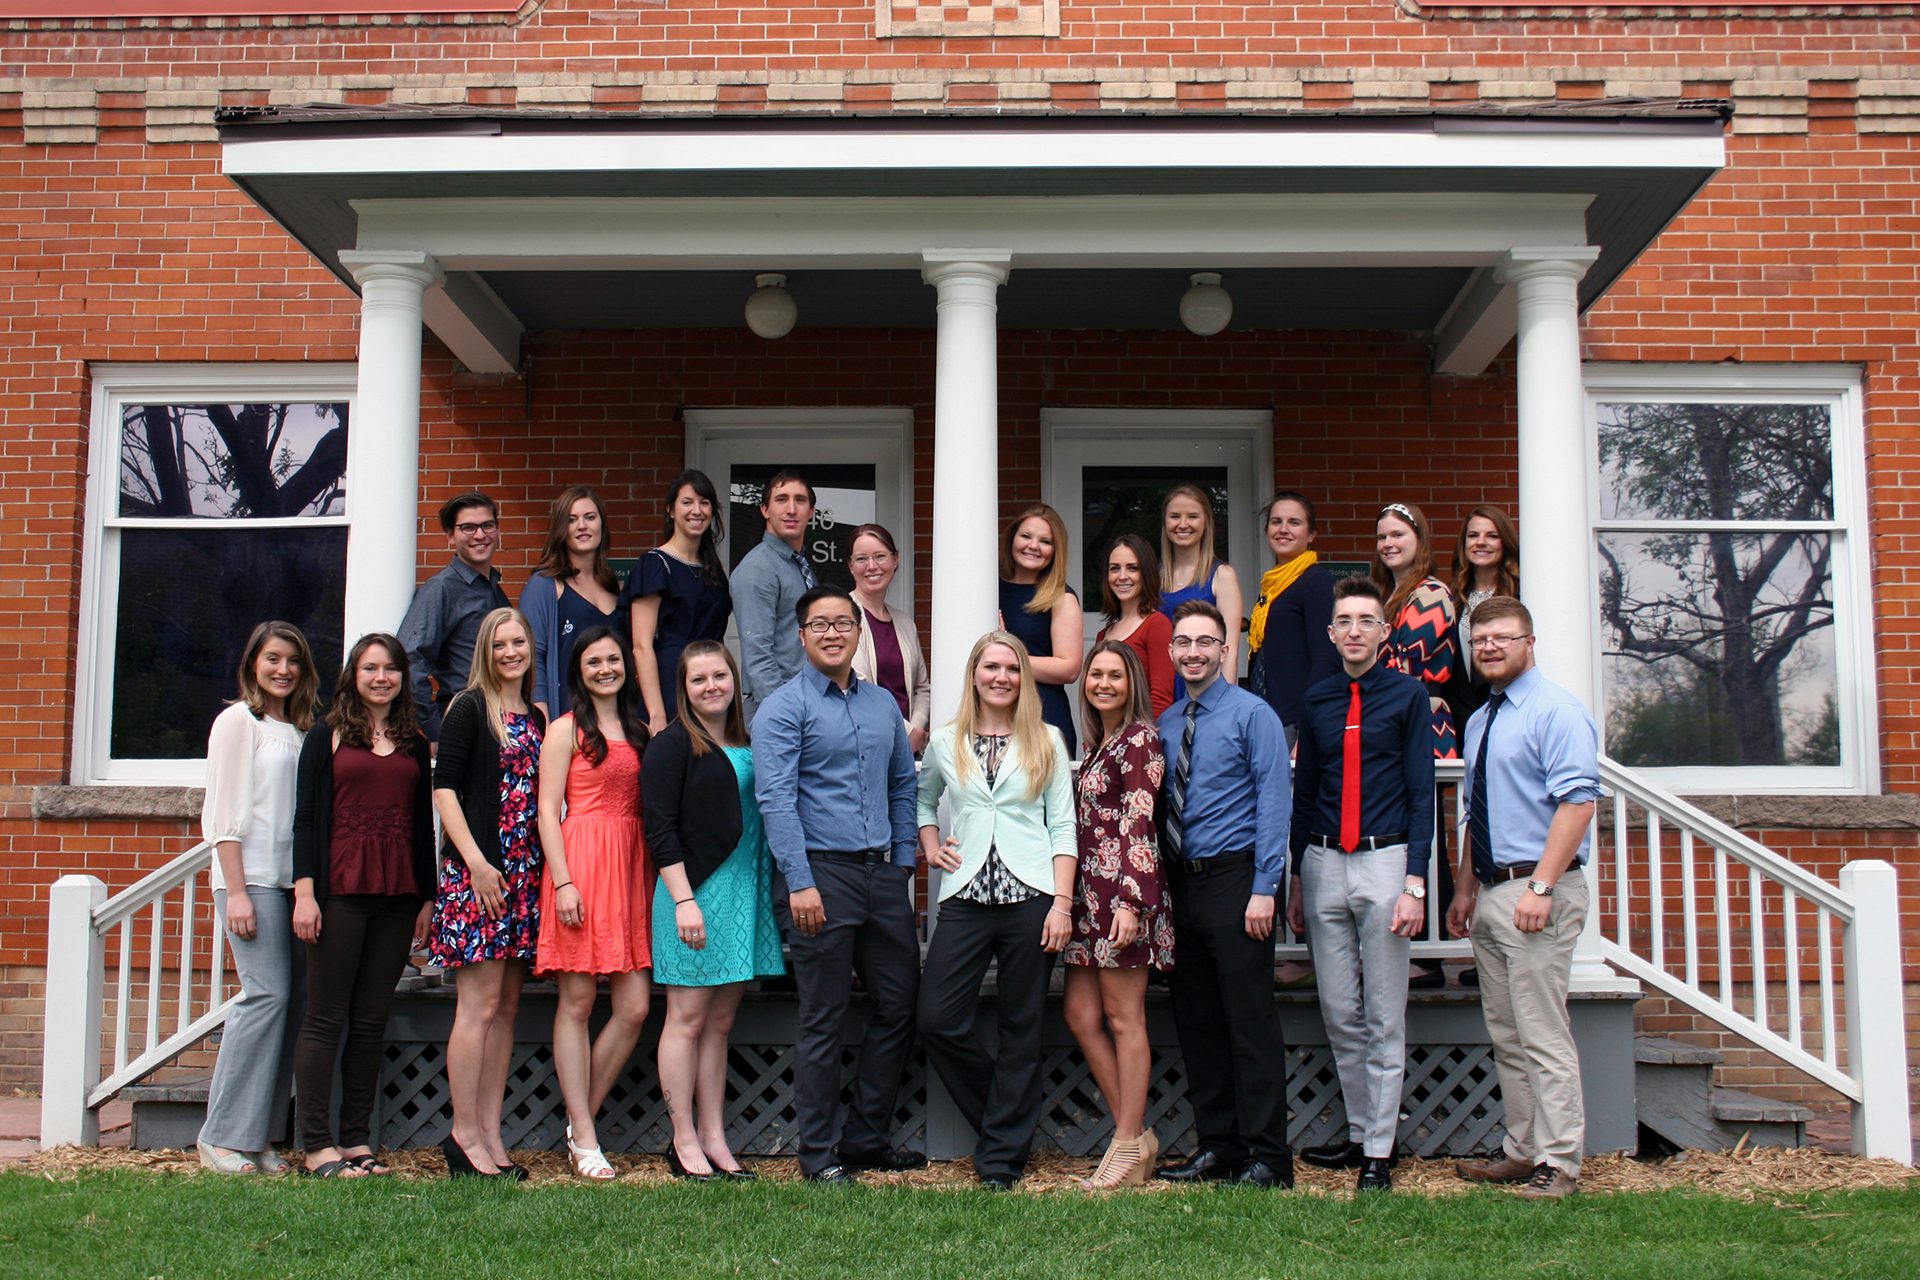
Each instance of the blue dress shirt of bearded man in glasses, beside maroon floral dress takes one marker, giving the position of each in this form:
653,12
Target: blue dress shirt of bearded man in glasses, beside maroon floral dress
1239,790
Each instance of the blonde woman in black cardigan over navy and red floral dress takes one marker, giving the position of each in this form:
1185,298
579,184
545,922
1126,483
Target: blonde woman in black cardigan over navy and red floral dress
487,916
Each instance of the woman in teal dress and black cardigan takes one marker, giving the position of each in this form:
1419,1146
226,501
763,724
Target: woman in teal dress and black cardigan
713,920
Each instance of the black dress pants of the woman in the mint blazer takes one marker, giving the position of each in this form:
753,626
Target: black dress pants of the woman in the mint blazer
997,1093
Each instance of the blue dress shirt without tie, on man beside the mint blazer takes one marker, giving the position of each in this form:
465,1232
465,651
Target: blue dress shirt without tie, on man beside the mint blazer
832,772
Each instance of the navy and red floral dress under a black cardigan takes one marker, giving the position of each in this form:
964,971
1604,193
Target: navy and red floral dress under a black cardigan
462,930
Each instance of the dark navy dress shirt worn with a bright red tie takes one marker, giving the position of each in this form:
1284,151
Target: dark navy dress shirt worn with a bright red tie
1397,761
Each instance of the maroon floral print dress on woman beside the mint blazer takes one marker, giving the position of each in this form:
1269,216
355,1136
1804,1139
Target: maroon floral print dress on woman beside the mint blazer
1120,855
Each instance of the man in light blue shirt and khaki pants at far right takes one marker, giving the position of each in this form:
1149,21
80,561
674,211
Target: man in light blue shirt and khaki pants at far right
1533,780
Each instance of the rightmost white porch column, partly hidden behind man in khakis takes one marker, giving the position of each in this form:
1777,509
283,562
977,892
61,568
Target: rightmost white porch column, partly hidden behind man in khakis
1554,519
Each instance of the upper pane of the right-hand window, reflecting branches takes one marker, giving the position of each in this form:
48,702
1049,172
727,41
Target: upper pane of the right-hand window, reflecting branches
1685,462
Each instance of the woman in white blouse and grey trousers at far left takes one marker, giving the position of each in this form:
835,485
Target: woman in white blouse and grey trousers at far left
249,820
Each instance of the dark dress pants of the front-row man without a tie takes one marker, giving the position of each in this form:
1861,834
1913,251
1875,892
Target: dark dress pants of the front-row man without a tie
869,928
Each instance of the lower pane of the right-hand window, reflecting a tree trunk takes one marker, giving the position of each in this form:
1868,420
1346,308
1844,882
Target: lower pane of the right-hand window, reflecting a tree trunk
1719,650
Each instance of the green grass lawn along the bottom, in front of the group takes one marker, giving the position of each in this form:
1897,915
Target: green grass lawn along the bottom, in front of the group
162,1225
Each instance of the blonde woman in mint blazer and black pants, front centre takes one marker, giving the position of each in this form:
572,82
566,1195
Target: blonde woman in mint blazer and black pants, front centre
1007,897
